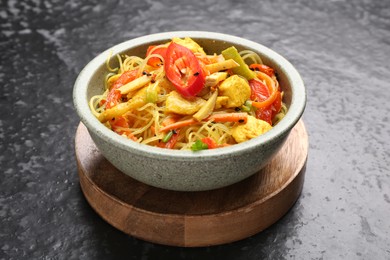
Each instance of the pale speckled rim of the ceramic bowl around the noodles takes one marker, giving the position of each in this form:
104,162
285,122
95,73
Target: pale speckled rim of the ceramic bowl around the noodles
80,90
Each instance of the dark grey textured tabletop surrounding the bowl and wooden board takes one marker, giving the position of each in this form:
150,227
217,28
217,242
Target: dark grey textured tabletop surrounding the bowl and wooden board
342,50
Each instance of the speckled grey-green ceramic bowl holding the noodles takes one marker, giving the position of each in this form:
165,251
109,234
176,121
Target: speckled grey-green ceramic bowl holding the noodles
188,170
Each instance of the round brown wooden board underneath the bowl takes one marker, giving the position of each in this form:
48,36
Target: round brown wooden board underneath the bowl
193,219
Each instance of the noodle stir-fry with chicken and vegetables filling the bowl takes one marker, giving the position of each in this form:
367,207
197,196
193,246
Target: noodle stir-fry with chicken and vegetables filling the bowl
180,97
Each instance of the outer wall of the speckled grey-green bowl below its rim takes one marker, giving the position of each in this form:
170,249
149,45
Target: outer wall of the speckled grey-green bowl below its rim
187,174
